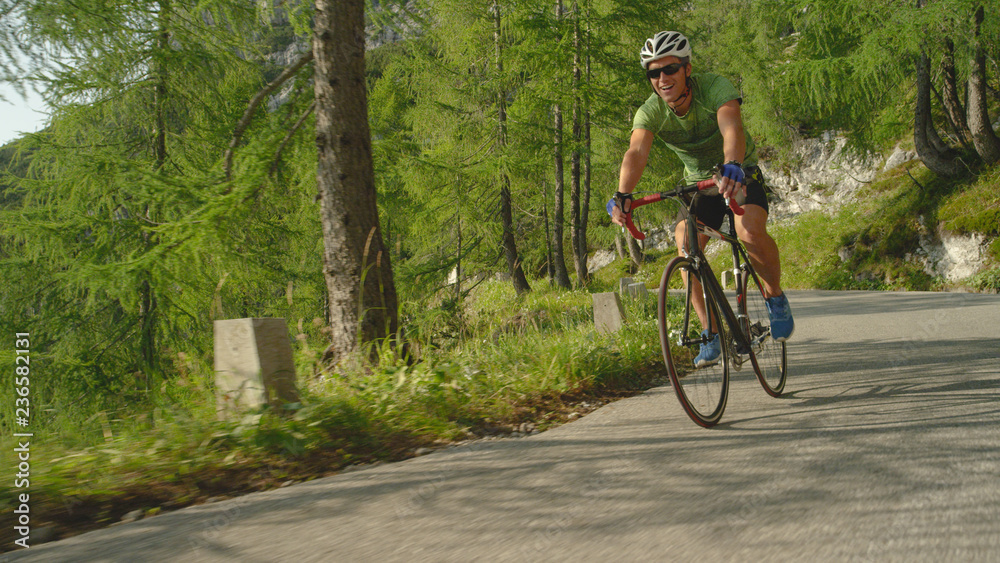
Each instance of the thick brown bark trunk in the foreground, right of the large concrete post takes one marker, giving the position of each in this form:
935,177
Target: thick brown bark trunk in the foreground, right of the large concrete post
360,287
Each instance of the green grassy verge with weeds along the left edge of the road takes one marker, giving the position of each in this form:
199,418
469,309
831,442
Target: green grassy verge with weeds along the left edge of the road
510,365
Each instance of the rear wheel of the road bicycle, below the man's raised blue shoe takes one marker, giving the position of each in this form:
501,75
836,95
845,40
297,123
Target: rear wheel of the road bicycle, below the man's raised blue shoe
768,357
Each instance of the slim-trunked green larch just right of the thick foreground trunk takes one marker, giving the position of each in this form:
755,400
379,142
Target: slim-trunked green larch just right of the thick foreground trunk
461,89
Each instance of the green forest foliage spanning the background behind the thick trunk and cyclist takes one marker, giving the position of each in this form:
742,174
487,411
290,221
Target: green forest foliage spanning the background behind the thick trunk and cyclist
123,236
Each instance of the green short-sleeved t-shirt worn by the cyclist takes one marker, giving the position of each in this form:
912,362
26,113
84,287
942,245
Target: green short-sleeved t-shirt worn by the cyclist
695,137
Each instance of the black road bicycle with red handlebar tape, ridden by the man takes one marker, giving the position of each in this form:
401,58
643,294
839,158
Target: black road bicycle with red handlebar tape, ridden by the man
745,334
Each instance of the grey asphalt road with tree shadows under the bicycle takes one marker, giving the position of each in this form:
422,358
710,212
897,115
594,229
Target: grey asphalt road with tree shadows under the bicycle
885,447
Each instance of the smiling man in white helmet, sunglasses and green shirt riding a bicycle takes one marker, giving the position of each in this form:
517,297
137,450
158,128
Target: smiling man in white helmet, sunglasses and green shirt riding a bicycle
698,117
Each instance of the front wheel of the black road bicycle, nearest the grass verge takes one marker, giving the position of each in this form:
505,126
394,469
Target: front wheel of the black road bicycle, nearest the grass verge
702,392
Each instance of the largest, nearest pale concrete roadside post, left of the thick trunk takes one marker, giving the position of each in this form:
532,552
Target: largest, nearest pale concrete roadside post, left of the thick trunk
253,365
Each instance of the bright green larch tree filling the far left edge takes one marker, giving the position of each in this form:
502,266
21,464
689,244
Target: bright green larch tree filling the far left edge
124,227
